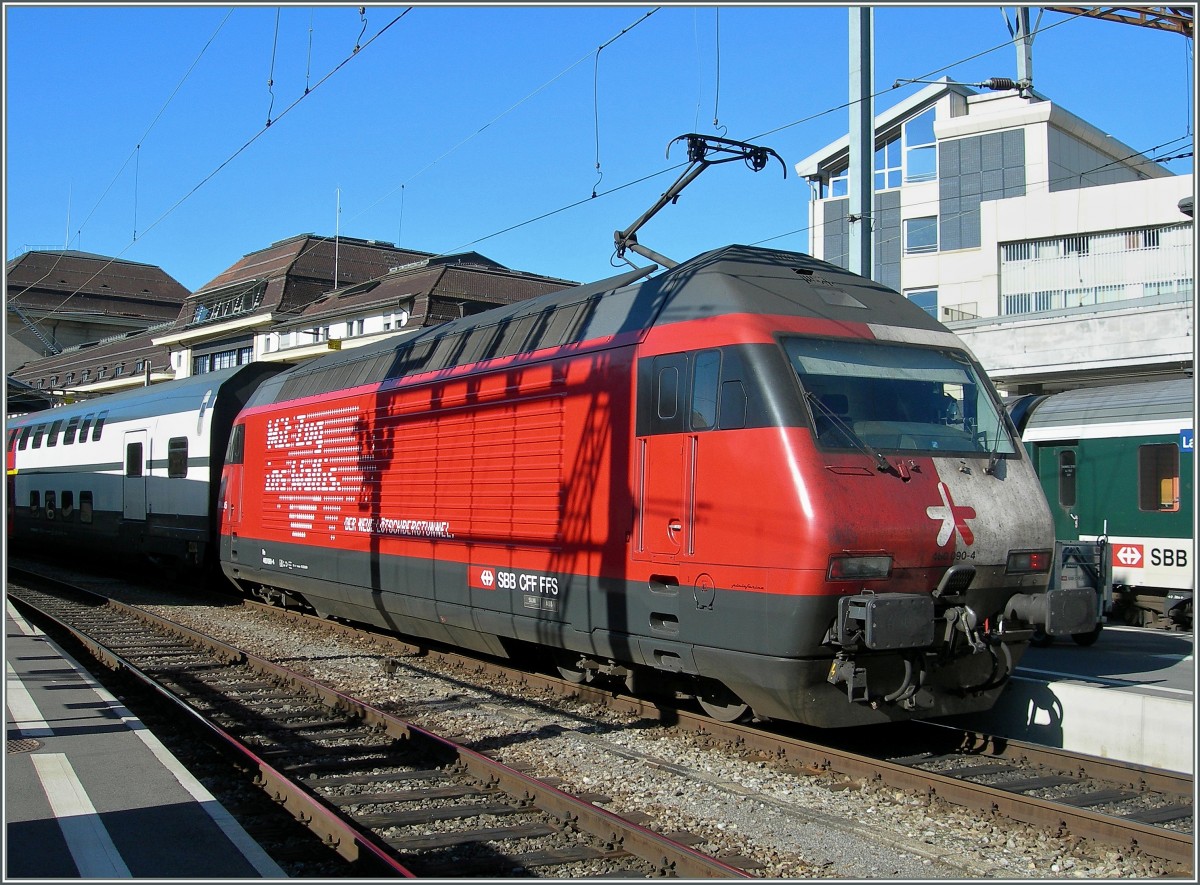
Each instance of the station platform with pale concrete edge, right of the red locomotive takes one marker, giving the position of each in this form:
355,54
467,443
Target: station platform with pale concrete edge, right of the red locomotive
1130,697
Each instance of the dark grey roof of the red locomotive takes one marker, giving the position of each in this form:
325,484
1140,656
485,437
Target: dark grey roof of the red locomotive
728,281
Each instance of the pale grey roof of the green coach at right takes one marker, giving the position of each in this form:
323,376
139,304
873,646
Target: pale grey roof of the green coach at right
1144,404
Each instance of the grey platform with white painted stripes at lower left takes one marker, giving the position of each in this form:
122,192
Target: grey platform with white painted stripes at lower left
91,793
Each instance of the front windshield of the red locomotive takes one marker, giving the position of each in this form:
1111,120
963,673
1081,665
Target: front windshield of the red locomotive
897,399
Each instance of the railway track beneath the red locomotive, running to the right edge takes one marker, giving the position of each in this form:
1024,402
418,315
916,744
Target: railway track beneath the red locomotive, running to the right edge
1113,804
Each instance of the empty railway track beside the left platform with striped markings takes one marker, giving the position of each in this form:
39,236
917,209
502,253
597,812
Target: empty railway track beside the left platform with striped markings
385,794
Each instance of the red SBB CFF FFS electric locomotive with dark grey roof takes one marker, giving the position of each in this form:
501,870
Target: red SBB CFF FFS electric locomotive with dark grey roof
757,479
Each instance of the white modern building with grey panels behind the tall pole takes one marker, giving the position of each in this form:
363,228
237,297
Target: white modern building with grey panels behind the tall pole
1061,256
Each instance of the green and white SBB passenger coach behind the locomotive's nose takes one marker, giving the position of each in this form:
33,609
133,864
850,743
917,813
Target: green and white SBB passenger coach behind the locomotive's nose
1119,463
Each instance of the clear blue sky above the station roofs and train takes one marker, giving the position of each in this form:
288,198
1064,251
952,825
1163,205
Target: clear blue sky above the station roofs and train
141,131
